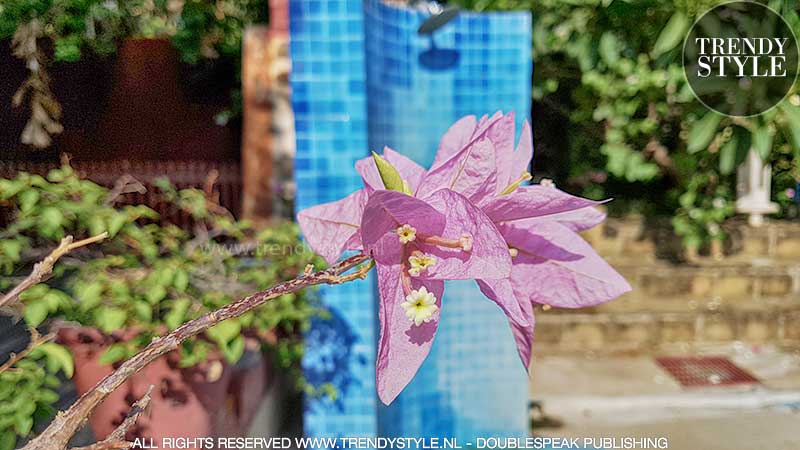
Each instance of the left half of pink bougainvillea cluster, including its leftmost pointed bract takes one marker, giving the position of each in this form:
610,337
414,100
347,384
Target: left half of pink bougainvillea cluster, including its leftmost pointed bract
416,243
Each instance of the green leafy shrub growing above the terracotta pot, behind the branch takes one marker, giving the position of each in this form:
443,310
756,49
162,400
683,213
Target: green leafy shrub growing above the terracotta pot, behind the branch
147,277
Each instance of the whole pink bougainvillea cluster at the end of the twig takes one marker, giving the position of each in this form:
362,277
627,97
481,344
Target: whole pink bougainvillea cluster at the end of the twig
470,216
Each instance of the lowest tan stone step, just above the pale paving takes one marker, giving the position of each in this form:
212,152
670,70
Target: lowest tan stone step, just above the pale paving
671,323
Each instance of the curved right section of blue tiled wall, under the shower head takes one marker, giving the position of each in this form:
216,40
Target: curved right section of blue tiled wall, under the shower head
473,383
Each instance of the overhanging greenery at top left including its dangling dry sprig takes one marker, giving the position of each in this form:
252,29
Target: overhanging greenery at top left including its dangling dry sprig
64,30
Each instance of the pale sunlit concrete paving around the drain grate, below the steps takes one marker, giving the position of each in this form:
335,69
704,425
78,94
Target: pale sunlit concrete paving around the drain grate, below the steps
631,396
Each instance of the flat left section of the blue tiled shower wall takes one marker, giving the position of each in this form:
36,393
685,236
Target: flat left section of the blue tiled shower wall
329,99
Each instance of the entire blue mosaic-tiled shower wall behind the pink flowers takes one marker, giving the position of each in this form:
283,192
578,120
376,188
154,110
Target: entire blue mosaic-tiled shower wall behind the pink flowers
350,57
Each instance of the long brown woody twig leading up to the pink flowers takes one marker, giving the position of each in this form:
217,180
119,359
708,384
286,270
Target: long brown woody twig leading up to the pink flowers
63,427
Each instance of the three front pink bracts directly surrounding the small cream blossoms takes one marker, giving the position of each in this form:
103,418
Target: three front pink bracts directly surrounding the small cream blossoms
417,244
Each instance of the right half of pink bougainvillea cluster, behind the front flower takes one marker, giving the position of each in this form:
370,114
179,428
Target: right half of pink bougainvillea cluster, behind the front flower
552,264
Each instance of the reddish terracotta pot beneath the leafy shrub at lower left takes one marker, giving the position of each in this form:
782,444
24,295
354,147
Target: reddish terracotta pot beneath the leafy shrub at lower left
209,400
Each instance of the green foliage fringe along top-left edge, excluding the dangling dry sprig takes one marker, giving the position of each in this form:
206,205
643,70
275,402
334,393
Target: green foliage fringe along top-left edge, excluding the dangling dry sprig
198,28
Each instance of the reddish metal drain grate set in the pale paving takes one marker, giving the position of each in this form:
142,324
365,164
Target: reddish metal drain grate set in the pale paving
695,371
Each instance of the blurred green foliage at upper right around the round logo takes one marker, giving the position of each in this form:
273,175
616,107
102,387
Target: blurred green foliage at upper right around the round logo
612,70
